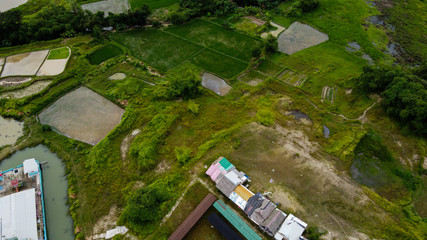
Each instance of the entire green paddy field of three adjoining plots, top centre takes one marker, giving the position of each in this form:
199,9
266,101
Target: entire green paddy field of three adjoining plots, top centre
205,44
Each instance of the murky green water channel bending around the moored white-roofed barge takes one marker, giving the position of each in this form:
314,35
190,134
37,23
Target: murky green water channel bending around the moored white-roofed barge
59,223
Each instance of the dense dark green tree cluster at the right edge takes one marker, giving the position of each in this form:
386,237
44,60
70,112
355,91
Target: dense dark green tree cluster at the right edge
404,95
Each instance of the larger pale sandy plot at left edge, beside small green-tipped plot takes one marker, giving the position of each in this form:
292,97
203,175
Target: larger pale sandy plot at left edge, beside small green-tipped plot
24,64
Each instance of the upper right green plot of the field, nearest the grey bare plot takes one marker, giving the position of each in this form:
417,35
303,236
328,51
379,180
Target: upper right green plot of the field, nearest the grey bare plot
218,38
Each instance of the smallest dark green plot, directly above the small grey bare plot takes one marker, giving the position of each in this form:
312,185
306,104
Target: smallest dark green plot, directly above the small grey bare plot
219,64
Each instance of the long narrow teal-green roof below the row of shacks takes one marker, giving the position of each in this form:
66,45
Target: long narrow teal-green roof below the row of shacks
236,221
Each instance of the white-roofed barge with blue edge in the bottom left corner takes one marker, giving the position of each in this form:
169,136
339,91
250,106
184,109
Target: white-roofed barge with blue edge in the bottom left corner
22,214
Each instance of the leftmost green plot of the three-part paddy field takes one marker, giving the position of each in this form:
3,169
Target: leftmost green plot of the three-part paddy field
159,49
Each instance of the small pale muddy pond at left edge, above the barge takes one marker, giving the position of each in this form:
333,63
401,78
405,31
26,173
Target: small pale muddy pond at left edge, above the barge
10,131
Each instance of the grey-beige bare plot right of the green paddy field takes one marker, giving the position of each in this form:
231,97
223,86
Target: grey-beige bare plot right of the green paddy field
298,37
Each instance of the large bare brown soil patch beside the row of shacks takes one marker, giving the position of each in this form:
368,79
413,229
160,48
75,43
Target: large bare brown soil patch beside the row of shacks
310,185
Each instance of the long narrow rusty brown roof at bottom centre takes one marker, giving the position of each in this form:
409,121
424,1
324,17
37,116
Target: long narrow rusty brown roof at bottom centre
192,219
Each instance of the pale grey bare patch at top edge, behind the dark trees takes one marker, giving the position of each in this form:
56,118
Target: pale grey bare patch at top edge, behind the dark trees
114,6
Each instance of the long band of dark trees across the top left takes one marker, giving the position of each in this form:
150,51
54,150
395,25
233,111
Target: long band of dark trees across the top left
56,21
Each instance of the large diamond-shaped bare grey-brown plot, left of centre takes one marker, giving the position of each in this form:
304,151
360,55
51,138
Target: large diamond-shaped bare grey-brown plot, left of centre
83,115
